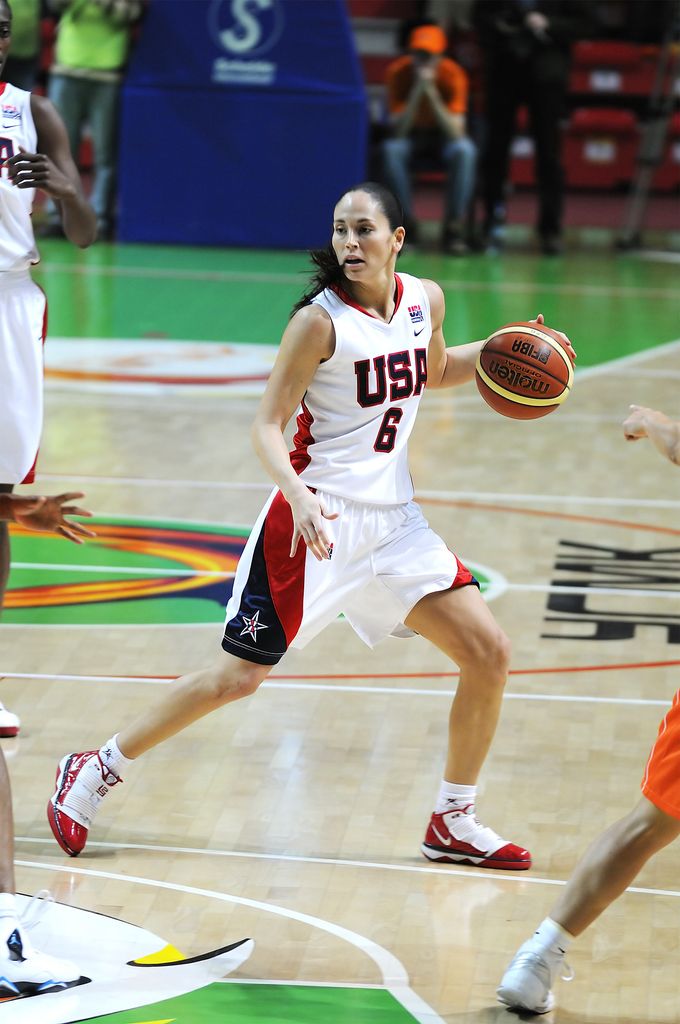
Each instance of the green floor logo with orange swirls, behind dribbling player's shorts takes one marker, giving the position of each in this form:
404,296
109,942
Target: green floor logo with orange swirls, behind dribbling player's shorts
136,572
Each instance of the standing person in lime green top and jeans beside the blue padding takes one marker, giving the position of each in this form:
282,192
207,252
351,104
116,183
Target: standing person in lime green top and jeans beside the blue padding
93,47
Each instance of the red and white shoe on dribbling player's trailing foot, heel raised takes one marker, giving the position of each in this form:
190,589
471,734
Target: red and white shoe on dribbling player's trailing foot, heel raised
82,783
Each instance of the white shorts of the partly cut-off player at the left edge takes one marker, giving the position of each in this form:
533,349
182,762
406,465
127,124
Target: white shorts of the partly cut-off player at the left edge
23,327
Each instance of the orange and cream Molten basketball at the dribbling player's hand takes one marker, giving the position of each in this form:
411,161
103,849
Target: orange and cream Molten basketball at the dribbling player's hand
524,371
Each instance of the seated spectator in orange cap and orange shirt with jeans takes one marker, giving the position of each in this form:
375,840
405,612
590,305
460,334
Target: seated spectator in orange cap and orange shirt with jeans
428,98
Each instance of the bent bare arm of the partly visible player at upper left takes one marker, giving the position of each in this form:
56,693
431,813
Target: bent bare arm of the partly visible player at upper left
54,170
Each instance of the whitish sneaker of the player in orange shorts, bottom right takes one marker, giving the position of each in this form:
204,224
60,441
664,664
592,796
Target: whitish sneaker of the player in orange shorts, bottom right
529,979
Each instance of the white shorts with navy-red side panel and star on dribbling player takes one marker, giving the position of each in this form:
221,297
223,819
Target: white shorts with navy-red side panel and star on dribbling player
385,560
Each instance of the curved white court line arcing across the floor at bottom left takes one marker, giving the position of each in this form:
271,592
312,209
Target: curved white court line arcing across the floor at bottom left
395,975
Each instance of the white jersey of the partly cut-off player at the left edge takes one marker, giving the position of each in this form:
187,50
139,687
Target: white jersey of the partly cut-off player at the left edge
18,247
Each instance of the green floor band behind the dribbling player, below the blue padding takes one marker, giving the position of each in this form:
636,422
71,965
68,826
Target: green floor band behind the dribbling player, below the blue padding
610,305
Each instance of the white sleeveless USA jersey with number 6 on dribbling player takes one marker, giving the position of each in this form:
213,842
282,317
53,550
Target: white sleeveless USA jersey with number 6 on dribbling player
359,411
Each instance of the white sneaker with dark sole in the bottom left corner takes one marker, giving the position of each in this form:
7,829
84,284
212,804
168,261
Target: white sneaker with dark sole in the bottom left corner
25,971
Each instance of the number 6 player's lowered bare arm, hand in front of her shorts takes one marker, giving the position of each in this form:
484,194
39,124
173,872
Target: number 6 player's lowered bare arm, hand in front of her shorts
308,342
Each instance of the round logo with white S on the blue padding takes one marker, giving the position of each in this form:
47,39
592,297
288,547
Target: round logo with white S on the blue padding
246,28
